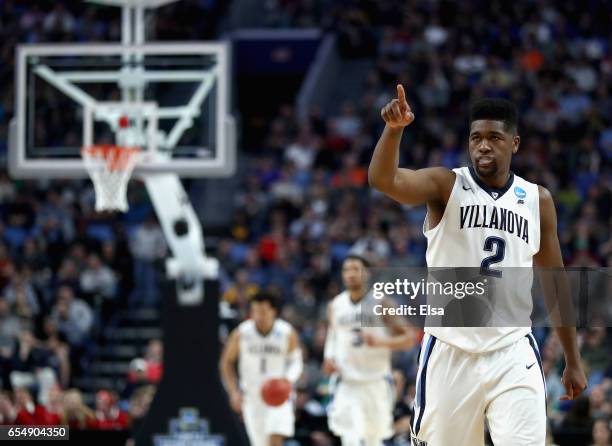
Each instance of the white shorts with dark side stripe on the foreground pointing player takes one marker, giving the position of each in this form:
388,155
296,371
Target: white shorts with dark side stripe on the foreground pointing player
456,391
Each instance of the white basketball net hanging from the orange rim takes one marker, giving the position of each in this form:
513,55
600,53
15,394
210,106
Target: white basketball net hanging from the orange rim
110,168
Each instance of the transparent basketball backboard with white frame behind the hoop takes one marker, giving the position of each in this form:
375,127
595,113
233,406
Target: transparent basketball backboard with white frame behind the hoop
176,97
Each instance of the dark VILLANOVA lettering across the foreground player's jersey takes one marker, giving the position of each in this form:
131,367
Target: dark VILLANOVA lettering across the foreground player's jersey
488,216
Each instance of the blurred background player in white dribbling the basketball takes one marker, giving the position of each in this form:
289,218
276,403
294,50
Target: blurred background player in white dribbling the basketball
265,347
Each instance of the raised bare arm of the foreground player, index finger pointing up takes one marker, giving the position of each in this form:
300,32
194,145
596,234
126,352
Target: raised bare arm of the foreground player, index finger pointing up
424,186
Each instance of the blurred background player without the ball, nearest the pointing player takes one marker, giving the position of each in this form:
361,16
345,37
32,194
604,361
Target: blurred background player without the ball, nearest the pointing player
358,354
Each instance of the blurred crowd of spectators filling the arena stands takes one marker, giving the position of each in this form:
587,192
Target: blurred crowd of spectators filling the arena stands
304,201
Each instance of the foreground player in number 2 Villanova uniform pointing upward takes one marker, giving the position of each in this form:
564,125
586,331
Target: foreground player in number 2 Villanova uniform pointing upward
479,216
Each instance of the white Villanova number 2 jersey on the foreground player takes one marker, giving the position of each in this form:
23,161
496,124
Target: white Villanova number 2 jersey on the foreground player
495,229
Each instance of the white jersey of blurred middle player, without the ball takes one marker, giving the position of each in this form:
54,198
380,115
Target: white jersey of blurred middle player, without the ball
356,360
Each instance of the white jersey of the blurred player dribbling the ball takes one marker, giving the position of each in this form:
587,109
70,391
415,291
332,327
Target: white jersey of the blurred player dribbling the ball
262,357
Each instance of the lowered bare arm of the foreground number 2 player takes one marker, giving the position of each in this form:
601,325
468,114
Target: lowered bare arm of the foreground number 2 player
556,289
